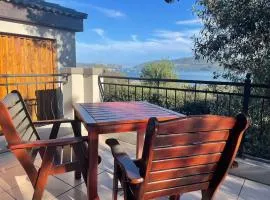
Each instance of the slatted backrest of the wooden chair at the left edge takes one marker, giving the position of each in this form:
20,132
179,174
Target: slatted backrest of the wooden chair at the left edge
15,120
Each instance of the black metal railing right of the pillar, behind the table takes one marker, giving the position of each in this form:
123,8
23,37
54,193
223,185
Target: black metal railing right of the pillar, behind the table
193,97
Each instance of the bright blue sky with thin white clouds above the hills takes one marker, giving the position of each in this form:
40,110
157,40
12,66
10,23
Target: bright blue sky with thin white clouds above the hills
134,31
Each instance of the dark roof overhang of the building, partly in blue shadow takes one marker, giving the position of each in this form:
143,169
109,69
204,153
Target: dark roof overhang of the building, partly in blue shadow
42,13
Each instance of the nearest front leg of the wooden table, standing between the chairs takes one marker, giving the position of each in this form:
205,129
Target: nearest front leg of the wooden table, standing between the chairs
92,178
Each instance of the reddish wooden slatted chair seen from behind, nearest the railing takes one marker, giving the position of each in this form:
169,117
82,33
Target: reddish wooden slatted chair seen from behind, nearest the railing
179,156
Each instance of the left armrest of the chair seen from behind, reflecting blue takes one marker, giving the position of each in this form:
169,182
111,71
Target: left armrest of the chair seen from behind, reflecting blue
131,170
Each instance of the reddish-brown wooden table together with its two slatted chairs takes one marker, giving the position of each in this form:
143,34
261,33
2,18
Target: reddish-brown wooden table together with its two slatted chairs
176,154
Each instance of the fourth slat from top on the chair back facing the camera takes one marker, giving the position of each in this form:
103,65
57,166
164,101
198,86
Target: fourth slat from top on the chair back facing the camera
185,161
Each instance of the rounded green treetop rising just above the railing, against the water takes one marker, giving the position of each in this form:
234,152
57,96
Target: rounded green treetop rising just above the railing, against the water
159,70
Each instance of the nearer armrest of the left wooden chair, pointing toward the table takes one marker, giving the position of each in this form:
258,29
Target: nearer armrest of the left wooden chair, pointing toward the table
49,143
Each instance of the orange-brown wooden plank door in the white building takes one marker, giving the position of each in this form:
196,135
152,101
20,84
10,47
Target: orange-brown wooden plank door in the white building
26,55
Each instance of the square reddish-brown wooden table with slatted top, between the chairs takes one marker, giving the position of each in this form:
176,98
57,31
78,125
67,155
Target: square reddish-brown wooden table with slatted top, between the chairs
115,117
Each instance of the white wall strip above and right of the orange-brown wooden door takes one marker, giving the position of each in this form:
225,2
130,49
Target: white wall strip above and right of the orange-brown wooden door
66,46
